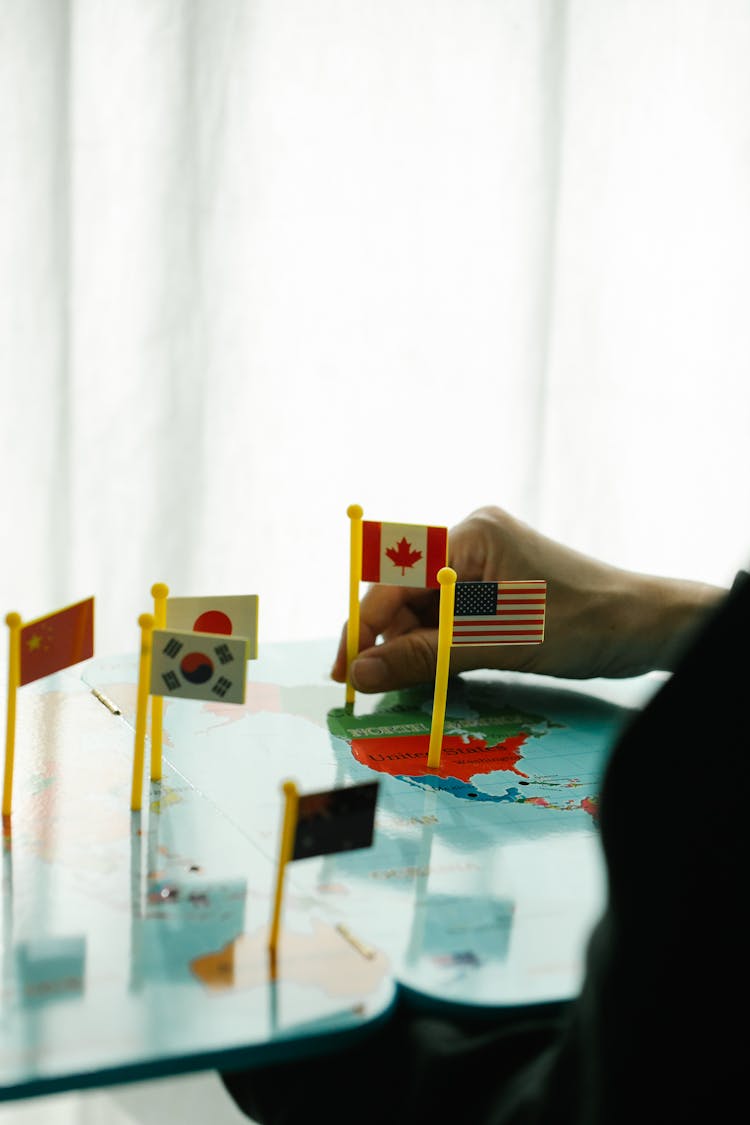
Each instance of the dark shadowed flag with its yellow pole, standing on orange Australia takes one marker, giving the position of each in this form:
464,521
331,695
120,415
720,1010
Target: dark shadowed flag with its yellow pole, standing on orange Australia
320,824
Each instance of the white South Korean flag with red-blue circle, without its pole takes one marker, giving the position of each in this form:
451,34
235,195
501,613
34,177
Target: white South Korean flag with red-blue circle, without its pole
198,667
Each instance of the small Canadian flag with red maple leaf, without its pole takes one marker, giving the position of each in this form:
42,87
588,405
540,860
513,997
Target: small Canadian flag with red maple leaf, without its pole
403,554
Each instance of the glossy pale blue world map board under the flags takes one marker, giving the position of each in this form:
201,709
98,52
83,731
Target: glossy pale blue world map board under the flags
481,887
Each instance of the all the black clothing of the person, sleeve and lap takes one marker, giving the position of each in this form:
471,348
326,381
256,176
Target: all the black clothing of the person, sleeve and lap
657,1033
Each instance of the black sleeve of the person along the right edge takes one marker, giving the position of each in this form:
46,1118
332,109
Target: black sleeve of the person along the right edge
654,1034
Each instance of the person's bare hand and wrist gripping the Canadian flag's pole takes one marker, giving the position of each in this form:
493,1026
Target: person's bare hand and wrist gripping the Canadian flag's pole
601,620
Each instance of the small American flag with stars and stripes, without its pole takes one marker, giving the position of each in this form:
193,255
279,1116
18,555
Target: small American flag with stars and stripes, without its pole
500,613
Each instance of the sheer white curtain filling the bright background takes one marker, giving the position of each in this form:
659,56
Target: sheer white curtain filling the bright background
265,259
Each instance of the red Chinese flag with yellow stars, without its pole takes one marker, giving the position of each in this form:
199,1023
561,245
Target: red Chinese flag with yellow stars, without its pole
55,643
